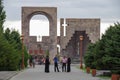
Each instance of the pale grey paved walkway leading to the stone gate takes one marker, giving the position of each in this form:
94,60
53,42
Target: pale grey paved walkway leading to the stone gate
38,73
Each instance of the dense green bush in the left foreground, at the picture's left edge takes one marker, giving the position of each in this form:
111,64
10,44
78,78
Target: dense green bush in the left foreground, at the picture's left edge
8,57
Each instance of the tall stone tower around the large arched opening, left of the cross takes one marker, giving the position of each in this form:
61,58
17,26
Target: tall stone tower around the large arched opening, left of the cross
51,14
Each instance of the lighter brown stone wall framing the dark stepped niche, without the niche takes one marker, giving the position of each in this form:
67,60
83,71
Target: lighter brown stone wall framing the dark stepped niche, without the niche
90,26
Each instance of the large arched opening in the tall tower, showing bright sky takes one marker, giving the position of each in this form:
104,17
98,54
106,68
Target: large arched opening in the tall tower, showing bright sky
39,26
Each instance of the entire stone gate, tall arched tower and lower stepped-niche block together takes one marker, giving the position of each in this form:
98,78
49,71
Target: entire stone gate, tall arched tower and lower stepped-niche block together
69,43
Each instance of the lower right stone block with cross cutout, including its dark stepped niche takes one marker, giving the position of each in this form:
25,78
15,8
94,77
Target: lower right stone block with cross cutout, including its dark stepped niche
68,43
